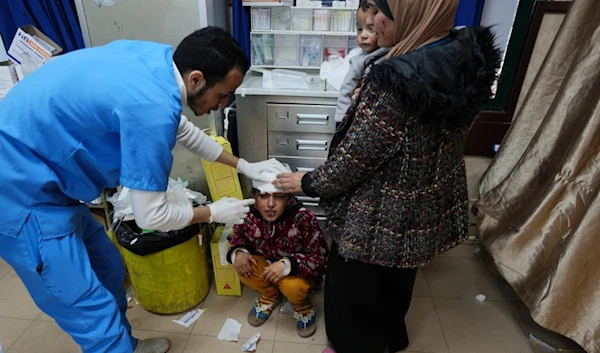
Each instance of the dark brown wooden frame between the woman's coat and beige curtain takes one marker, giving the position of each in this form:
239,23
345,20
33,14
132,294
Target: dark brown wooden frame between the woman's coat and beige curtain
495,120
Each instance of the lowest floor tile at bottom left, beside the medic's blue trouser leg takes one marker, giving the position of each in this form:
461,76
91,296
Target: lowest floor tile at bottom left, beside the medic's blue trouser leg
44,337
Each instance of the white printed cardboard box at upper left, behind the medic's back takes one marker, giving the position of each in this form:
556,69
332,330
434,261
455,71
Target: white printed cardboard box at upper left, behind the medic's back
31,49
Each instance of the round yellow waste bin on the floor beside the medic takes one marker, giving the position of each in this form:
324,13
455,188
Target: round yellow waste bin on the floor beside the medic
173,280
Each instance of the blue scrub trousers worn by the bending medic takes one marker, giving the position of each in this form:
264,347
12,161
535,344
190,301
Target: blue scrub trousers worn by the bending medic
77,279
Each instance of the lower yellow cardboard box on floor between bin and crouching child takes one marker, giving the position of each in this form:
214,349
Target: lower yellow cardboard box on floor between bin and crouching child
227,281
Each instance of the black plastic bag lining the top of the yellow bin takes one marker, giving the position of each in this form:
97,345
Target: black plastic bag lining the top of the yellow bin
130,236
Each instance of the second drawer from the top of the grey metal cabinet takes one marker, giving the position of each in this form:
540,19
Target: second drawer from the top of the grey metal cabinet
298,144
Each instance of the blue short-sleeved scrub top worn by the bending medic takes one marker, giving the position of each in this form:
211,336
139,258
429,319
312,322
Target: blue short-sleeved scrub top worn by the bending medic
85,121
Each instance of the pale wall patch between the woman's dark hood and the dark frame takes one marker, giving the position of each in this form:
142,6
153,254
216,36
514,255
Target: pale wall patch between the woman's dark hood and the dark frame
500,14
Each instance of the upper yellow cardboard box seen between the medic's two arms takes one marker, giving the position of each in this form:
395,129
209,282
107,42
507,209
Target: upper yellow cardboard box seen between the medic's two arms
222,179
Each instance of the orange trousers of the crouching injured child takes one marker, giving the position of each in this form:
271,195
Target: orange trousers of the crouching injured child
295,289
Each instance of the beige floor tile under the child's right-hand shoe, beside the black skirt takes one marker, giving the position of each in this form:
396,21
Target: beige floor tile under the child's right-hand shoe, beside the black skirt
286,326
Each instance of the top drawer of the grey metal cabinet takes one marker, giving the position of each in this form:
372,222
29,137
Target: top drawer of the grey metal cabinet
301,118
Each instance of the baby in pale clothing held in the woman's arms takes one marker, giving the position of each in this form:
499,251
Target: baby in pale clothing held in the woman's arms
367,41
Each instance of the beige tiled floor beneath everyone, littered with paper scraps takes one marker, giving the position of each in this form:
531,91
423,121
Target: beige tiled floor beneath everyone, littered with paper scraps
444,317
